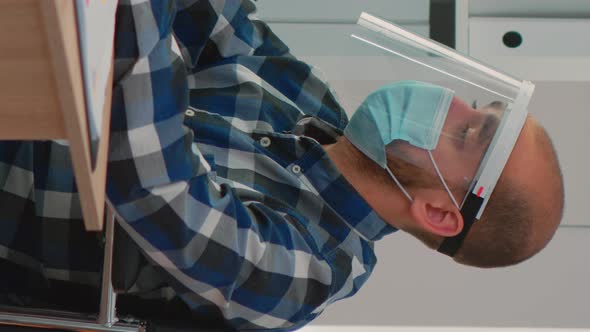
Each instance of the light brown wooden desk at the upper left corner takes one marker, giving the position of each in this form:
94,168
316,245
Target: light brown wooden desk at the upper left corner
42,91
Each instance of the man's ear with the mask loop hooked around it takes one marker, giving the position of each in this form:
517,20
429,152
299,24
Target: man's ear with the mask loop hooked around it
434,211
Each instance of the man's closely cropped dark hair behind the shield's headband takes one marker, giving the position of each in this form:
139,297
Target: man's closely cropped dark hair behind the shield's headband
508,233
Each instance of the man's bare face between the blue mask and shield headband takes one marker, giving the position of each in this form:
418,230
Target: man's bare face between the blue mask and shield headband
466,136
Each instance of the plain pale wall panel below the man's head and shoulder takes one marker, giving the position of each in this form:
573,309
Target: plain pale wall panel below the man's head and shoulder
412,285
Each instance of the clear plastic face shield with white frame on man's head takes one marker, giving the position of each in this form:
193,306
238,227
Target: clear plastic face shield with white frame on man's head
430,116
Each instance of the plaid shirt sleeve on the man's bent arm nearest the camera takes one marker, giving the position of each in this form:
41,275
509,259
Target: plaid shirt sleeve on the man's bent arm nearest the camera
259,266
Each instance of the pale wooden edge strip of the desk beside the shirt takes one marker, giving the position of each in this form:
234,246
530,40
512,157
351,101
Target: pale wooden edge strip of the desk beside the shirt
61,28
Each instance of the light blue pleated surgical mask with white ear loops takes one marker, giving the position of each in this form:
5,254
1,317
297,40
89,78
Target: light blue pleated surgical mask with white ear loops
410,111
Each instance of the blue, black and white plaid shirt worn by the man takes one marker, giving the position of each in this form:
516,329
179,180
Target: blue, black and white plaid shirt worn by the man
213,173
